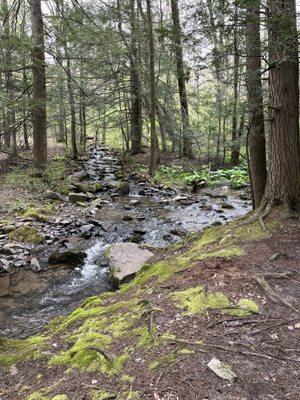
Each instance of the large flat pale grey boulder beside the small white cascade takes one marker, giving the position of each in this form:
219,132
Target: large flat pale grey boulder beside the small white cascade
125,260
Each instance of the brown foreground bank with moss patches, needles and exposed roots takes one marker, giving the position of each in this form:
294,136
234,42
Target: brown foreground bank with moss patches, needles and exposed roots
230,292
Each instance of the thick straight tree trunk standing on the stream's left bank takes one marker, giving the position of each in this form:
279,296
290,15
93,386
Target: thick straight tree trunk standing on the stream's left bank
39,86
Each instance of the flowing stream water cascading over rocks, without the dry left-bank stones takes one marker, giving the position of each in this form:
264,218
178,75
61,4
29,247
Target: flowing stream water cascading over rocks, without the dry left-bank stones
148,215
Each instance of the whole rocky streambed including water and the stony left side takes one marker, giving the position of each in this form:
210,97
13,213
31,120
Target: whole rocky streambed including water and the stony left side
49,262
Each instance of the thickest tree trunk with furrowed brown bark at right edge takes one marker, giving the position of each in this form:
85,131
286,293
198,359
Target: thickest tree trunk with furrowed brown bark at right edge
283,183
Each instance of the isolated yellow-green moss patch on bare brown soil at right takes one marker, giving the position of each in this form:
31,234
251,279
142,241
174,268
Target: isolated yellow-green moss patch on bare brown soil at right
197,300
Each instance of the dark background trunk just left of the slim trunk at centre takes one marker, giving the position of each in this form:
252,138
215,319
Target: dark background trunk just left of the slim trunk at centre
135,83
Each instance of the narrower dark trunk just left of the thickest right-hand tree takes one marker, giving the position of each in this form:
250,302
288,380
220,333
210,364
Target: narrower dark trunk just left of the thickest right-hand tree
256,141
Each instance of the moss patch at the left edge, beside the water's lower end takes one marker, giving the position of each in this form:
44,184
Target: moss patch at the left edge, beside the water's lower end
13,351
